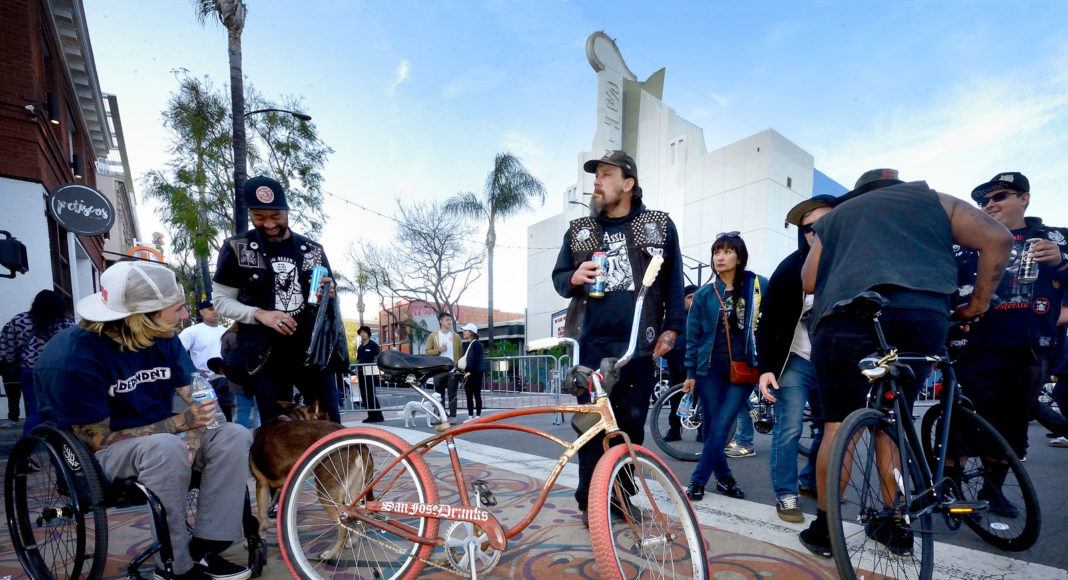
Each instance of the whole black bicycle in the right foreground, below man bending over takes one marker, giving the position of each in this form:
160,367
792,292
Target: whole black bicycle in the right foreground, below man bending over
893,482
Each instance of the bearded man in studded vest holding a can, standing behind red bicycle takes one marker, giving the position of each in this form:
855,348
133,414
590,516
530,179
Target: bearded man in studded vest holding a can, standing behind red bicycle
629,236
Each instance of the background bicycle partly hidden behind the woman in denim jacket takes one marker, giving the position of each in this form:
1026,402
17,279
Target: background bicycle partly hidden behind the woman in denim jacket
692,436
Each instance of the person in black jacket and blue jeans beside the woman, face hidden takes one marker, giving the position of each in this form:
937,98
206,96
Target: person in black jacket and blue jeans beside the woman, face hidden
784,353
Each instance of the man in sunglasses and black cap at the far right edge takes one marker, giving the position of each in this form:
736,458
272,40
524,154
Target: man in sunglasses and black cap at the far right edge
1008,356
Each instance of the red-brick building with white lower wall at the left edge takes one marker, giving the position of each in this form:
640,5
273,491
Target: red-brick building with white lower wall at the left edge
55,130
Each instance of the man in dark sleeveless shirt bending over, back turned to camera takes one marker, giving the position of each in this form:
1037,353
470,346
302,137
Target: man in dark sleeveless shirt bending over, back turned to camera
897,239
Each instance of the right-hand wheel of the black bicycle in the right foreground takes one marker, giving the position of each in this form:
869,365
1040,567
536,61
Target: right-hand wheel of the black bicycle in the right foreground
991,472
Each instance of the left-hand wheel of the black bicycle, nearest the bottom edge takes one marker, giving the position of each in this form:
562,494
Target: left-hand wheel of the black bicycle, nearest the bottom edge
874,534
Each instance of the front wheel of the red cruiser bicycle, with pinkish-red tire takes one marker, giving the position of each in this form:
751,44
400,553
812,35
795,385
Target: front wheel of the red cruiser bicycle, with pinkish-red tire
646,545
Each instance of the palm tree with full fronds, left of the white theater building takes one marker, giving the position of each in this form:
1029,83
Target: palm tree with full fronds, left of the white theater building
509,191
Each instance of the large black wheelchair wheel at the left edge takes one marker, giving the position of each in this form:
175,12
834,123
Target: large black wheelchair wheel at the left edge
55,503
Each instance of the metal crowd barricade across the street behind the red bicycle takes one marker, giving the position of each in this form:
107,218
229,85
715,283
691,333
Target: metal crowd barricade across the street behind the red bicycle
510,383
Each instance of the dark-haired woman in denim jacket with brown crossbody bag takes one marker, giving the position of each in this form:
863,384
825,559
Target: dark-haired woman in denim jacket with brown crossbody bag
734,294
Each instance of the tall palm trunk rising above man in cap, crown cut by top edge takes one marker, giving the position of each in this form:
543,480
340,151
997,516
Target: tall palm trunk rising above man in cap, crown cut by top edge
231,14
